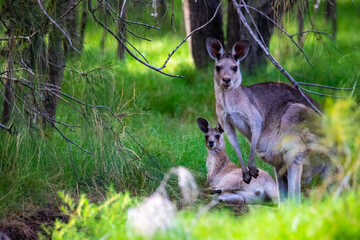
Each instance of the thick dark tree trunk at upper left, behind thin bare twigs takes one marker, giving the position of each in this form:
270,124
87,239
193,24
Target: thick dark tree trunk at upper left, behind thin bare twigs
56,62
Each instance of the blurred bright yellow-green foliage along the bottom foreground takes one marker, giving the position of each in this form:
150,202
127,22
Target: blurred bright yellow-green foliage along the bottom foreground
329,219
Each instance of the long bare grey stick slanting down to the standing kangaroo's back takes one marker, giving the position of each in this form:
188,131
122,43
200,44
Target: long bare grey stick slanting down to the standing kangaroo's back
269,56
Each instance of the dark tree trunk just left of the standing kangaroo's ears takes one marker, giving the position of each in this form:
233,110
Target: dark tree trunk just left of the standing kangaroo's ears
196,14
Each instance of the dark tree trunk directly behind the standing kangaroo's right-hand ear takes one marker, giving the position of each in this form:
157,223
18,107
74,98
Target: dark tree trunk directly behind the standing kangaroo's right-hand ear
236,32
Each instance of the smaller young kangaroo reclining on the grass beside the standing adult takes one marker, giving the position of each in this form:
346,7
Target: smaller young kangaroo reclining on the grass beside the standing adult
224,177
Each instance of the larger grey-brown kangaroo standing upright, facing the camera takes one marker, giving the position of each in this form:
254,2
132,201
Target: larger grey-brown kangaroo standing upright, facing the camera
271,116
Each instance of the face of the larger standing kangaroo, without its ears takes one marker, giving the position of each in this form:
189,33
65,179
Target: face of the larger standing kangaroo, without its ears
227,73
